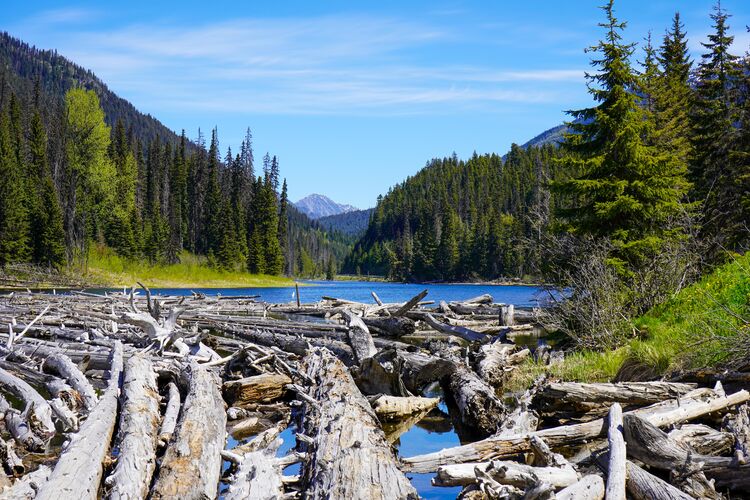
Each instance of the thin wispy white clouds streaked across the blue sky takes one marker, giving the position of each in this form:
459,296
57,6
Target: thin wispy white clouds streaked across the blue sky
326,65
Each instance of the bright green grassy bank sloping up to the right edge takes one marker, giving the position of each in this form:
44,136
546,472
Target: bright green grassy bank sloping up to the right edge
705,325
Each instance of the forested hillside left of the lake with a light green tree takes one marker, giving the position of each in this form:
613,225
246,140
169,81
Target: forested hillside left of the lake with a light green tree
81,167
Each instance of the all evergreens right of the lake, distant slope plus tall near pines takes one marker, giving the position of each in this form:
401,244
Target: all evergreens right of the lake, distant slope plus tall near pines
664,155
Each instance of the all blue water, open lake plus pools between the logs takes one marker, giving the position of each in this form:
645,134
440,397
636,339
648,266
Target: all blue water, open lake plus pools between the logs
435,431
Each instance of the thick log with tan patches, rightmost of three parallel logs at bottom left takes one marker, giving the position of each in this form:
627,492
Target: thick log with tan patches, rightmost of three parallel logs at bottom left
191,465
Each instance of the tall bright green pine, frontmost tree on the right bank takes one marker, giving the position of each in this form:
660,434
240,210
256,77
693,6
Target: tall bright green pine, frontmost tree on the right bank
627,190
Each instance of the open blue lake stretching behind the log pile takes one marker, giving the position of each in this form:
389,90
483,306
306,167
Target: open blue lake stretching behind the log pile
359,291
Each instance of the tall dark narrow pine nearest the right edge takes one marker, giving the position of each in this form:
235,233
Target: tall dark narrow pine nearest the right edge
713,121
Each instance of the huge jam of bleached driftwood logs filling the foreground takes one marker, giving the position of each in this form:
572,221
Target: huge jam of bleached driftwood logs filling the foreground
136,395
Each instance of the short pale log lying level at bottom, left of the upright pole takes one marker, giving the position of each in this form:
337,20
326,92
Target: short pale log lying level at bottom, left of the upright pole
515,474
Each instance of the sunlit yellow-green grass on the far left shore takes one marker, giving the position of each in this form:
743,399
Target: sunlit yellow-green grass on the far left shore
107,268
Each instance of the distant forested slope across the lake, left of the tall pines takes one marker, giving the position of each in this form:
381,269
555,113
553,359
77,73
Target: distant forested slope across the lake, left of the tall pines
460,219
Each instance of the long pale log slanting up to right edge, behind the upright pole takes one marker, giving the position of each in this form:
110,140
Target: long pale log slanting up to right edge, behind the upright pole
660,414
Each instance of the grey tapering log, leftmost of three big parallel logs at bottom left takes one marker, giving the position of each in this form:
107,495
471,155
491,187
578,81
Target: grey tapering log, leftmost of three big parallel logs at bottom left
79,470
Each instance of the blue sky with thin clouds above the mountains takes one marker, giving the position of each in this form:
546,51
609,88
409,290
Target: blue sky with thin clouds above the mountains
352,97
